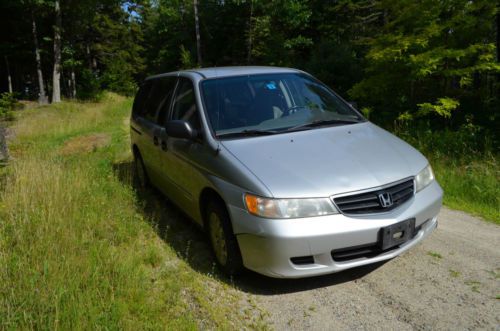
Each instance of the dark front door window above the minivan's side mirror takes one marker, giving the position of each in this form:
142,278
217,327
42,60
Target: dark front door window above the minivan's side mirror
184,107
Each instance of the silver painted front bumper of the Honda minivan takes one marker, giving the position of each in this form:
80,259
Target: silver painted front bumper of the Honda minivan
267,246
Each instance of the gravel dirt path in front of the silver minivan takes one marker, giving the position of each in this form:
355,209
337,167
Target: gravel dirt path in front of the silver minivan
450,281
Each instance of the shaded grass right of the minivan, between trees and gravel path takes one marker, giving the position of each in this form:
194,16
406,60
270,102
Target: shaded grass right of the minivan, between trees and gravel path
466,165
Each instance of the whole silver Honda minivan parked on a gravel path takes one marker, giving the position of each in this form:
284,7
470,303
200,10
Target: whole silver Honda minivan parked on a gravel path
286,177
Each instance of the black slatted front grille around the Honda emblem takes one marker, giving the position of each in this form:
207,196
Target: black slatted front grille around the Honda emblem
370,202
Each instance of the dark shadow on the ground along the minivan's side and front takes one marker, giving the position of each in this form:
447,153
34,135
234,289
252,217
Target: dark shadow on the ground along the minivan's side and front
191,245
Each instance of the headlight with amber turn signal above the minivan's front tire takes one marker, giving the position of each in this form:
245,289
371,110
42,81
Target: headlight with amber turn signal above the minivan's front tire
289,208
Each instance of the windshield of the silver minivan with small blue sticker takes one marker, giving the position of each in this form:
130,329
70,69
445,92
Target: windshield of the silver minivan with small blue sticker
272,103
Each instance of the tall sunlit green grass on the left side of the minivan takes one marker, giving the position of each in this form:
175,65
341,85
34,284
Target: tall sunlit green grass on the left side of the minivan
75,250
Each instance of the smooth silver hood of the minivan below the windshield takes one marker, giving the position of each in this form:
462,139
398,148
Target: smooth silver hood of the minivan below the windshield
327,161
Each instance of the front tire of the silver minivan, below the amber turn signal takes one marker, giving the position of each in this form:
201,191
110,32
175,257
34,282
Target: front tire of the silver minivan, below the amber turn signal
222,240
